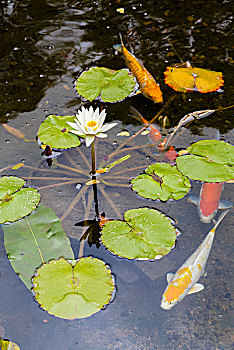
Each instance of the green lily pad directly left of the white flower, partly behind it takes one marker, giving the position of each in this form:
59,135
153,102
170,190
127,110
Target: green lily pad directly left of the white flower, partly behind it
55,132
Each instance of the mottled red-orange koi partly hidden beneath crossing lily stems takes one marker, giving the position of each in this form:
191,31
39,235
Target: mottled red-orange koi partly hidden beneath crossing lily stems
155,136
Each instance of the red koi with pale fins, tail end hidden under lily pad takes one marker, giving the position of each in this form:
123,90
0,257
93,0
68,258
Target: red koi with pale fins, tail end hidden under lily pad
209,201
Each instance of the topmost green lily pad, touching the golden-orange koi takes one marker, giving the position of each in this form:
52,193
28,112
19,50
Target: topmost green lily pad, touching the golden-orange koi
105,84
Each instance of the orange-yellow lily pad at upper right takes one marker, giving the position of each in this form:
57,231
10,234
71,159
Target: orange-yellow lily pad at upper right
190,79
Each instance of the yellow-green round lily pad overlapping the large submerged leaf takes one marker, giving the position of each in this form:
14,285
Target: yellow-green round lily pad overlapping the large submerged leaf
74,290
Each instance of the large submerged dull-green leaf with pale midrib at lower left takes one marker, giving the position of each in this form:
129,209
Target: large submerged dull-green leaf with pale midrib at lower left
34,240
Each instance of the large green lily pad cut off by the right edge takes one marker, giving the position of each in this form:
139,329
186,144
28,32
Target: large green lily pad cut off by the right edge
209,161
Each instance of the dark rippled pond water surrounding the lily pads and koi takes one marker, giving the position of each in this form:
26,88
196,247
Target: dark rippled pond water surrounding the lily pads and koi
45,45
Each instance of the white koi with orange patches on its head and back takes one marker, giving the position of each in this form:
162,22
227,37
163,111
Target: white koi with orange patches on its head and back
184,281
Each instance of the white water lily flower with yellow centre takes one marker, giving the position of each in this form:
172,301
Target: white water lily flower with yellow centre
89,123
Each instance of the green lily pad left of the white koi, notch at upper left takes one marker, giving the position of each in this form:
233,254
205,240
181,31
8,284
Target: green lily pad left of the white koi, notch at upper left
146,234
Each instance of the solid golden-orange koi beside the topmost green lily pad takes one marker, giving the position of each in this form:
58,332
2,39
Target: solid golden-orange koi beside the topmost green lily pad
147,83
